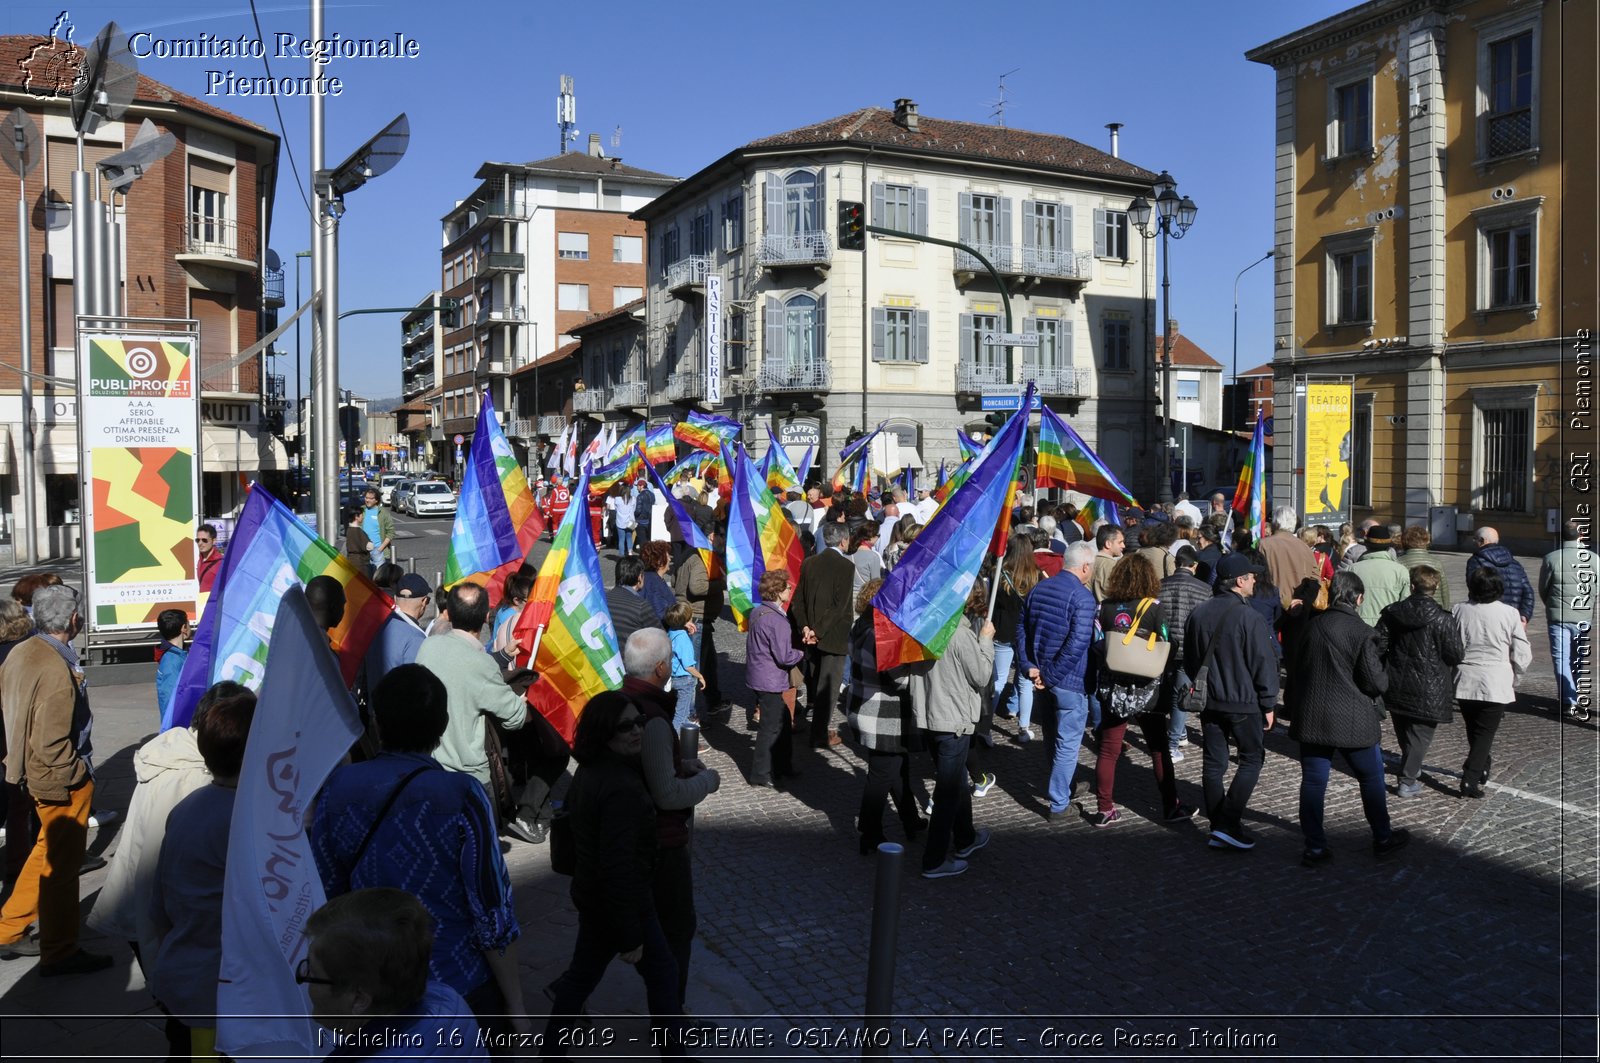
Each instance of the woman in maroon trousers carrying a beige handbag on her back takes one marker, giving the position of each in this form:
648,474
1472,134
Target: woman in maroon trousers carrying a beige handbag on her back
1132,659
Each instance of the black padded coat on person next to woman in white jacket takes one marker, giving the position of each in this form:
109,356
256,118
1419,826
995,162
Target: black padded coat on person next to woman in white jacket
1420,646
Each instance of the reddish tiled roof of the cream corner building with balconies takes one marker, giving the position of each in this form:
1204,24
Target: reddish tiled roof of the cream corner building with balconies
878,127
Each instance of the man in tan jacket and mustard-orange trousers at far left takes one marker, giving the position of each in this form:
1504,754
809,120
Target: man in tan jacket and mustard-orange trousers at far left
47,723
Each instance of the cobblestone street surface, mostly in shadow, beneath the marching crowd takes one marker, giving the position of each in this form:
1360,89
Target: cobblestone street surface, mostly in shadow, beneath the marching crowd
1066,941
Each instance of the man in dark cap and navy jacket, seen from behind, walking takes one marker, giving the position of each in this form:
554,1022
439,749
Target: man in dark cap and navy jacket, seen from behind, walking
1234,644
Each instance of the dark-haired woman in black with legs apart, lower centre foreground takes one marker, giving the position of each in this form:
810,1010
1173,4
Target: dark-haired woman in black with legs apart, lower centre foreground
615,835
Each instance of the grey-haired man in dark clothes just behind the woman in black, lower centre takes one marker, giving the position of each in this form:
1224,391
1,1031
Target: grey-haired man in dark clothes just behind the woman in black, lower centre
678,782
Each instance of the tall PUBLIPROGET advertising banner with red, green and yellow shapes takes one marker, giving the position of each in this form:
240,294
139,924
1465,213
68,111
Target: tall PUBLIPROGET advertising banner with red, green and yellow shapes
140,431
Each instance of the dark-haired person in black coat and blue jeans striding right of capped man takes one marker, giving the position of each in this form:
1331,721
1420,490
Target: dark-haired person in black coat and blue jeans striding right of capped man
1340,680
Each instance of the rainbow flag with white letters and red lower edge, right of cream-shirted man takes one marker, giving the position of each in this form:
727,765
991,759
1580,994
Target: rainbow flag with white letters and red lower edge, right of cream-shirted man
567,616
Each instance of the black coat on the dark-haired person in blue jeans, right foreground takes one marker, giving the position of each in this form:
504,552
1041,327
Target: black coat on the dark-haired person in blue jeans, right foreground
1338,680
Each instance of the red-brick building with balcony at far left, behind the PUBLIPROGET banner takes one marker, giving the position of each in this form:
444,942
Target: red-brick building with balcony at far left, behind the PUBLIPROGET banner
194,247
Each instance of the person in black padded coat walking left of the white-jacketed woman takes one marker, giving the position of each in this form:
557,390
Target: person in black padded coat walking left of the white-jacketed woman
1420,646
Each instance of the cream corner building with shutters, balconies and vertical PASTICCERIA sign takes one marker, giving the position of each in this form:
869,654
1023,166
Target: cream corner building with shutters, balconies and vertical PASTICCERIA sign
814,340
